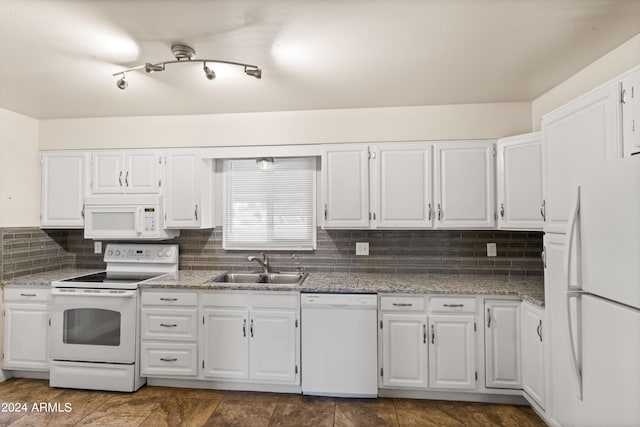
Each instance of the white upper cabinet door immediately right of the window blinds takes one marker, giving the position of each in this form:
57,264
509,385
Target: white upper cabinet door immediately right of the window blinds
345,175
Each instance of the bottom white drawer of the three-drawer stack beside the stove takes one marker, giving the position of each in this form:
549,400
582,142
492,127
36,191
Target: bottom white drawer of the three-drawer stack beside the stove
160,359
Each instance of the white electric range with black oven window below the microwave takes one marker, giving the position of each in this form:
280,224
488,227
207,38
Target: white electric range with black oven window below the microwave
94,325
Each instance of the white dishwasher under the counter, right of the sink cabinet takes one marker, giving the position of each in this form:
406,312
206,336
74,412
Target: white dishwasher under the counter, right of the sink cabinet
339,345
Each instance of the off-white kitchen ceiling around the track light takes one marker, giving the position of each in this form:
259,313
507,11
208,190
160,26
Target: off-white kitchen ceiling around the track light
59,55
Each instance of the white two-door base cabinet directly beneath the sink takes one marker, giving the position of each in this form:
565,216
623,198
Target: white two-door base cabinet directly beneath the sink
251,336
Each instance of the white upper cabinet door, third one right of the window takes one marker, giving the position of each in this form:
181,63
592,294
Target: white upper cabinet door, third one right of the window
464,183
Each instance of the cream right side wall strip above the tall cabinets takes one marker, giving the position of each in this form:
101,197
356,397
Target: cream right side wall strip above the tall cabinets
619,60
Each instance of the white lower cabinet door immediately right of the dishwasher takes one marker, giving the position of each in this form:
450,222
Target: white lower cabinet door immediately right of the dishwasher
404,350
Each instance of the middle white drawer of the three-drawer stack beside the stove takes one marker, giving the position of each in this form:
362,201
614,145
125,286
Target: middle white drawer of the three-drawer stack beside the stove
167,324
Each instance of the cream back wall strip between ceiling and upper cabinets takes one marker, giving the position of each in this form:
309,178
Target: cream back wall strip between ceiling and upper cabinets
475,121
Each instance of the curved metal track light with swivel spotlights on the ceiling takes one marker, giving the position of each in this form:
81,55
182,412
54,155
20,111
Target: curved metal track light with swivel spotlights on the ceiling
185,54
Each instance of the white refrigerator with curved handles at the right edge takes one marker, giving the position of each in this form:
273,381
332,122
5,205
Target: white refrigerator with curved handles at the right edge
601,301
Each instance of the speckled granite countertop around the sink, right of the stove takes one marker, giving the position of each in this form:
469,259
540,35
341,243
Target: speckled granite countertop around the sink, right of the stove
528,288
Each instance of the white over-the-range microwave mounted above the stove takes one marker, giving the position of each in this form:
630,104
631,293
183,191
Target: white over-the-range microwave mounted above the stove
125,217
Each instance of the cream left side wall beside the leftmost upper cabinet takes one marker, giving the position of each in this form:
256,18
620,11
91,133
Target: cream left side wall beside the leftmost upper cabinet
19,170
